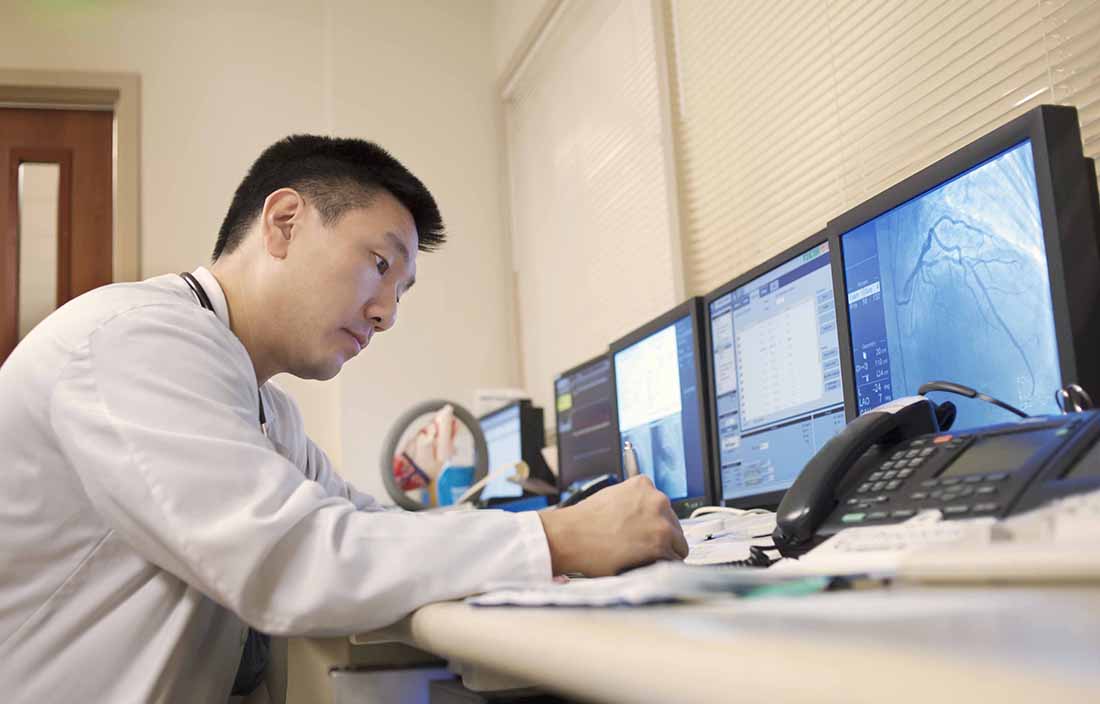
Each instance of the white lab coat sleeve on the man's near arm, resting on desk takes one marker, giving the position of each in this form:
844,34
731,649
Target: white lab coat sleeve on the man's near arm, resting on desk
157,415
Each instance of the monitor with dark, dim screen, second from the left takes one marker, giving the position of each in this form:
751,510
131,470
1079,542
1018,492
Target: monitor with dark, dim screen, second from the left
588,445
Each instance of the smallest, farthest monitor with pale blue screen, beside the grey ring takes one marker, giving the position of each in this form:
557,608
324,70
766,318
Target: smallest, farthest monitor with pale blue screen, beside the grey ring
513,433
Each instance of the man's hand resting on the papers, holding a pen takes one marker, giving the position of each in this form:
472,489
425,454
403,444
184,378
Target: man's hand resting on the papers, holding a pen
624,526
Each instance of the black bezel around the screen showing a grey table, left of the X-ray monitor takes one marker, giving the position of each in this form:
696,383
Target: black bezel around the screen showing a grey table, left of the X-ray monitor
764,500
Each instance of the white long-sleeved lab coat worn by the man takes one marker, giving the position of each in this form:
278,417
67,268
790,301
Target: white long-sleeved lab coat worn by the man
146,519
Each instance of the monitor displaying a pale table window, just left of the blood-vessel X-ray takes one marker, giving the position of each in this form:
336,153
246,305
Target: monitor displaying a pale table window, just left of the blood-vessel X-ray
775,369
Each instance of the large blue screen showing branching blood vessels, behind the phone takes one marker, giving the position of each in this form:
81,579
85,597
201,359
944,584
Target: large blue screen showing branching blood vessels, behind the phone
954,285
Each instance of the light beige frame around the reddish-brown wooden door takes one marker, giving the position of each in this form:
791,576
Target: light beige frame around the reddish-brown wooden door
94,91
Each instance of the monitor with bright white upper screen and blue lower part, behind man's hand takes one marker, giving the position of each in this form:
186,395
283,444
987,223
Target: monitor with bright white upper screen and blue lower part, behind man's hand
661,404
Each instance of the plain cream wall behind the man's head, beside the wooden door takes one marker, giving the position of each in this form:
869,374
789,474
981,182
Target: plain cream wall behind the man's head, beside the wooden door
222,83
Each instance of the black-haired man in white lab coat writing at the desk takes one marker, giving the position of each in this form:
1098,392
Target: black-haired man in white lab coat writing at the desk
161,497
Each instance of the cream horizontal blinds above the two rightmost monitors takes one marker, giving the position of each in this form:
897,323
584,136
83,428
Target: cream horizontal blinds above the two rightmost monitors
789,113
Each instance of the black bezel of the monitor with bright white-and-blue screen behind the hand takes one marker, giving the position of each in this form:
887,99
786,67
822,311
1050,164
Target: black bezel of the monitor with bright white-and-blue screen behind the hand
694,309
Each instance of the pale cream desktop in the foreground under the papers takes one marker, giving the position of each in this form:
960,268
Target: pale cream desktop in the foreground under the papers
899,645
